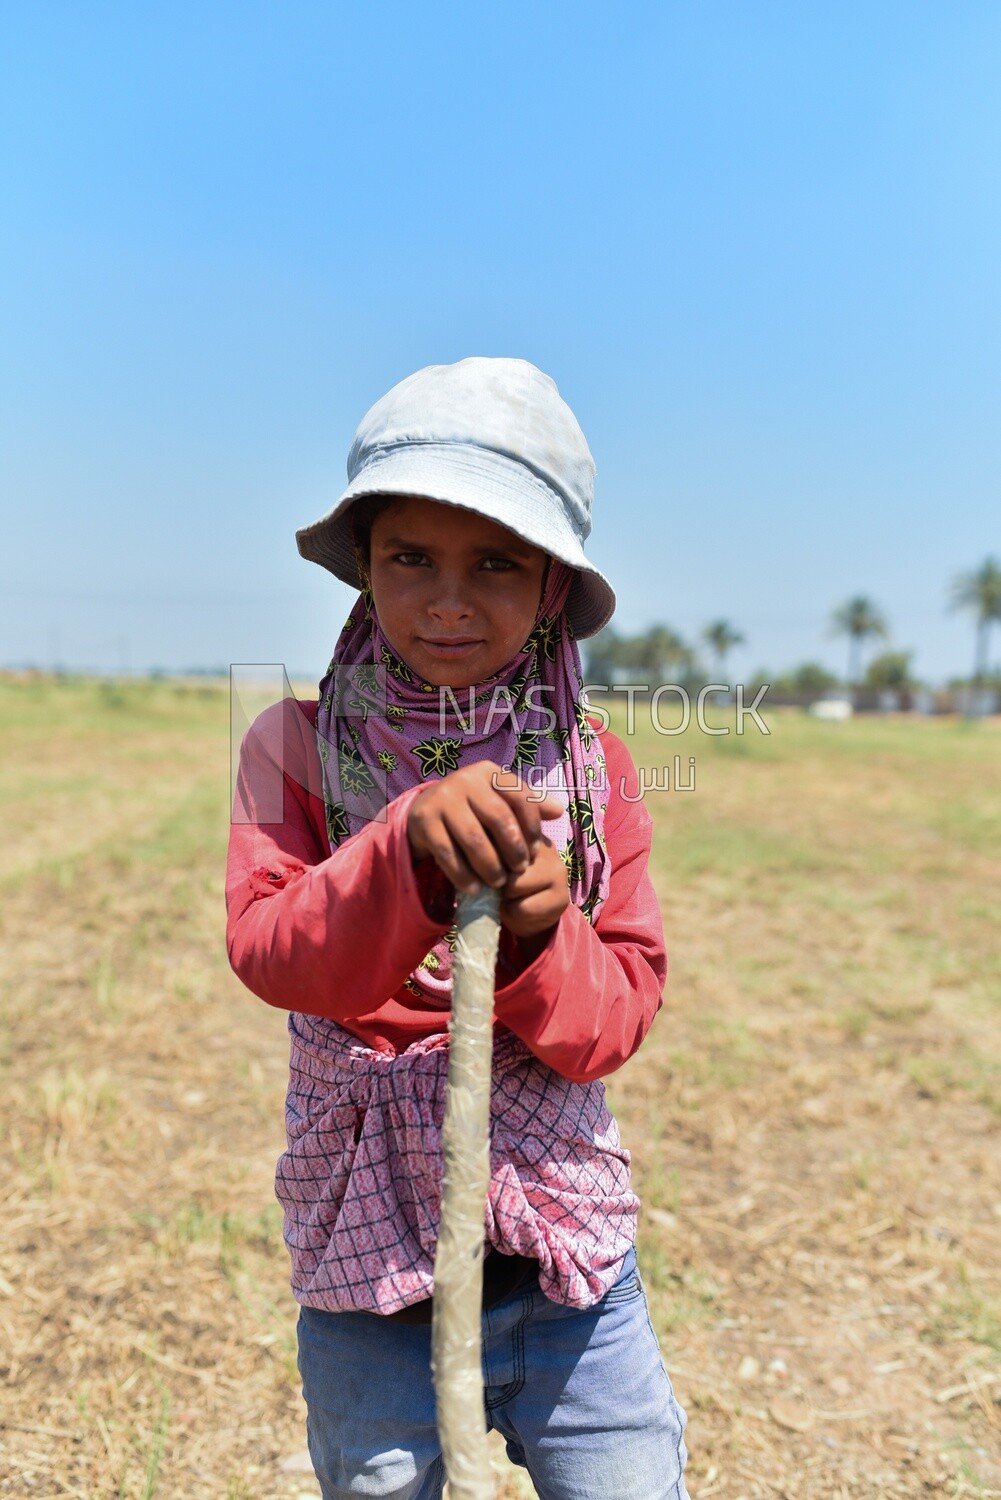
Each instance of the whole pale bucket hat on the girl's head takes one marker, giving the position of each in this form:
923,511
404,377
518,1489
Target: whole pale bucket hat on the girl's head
493,436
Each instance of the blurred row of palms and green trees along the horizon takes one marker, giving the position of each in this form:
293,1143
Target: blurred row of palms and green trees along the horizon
661,655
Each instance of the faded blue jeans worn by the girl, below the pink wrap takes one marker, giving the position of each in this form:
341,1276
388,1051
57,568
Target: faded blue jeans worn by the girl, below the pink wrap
582,1399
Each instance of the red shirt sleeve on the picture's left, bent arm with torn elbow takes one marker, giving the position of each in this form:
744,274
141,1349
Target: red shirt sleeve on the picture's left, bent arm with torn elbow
310,929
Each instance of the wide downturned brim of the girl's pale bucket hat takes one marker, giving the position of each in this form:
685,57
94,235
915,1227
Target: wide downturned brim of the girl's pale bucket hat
476,479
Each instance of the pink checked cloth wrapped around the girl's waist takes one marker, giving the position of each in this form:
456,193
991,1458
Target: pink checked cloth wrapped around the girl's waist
361,1181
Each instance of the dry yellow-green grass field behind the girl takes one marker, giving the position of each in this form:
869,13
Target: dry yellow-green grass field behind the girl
816,1120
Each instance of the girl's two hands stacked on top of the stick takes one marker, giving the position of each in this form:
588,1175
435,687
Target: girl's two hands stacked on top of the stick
479,830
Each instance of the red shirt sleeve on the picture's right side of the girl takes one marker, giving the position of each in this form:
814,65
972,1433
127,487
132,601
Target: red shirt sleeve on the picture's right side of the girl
586,1004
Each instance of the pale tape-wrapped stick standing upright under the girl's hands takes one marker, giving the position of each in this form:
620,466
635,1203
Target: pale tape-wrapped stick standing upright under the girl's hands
455,1337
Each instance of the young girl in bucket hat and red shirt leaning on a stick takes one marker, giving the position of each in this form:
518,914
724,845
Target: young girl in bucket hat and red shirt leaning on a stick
451,746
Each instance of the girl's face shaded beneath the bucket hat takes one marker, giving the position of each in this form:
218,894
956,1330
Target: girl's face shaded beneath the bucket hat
457,595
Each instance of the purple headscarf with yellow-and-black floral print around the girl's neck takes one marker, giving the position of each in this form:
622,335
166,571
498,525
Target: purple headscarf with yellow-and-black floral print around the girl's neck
382,730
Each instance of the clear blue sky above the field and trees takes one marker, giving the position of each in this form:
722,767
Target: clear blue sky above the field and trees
757,245
